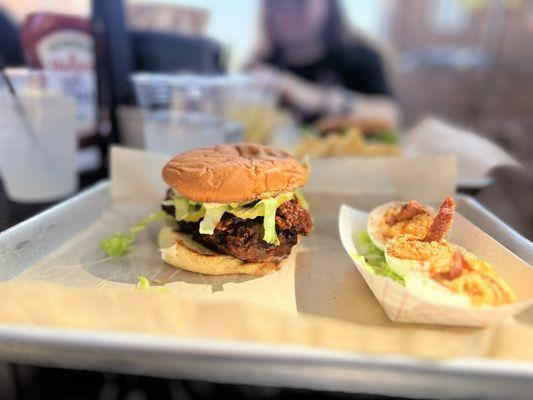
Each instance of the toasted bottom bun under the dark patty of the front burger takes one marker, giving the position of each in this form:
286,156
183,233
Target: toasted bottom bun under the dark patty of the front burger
181,251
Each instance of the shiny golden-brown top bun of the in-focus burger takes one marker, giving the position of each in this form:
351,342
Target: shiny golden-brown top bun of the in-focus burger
233,173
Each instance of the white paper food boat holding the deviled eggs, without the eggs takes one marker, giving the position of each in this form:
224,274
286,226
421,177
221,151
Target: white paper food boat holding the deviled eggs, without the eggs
401,305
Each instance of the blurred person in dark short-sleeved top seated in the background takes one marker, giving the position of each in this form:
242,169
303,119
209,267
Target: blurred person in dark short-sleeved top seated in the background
322,68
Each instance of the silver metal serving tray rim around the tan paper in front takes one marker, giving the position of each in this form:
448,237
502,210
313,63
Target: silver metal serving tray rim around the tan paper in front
238,362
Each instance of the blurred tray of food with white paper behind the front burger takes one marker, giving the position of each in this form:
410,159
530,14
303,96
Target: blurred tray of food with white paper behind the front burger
344,137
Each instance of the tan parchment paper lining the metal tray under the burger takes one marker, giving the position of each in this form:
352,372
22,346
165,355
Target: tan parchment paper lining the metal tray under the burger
324,303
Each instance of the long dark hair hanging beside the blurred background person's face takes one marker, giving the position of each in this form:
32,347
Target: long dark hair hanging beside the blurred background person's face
335,32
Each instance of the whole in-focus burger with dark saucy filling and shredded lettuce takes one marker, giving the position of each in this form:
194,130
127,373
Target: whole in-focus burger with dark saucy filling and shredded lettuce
233,209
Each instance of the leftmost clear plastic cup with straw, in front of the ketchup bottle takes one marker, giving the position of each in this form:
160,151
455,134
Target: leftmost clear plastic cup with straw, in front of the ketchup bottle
37,138
